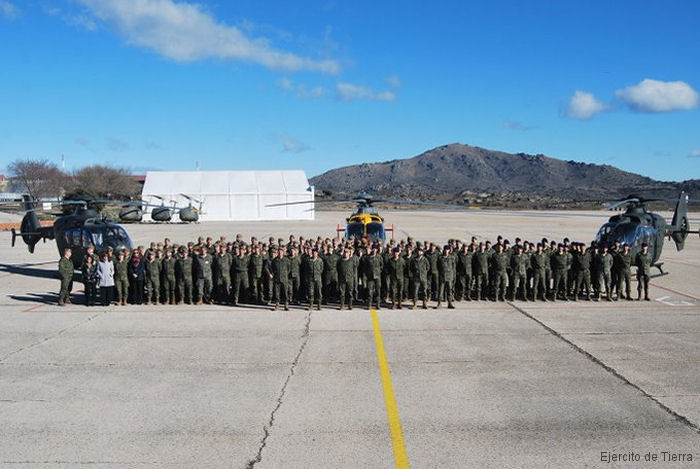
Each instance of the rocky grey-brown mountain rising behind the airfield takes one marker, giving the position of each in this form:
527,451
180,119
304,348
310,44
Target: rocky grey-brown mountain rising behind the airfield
468,174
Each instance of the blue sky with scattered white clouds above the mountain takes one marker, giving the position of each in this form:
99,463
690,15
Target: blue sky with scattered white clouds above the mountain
163,84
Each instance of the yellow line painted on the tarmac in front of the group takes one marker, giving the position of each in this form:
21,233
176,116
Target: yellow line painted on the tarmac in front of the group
392,410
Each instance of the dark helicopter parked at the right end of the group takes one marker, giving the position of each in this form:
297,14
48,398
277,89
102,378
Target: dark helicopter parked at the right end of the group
636,226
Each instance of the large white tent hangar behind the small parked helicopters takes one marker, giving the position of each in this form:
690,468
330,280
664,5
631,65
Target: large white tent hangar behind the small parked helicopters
233,195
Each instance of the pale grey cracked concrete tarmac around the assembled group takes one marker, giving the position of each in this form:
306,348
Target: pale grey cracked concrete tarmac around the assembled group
516,384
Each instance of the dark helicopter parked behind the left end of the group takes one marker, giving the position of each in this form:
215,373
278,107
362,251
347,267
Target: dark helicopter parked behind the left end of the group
82,227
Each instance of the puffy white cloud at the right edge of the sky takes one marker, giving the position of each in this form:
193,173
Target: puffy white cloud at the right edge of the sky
659,96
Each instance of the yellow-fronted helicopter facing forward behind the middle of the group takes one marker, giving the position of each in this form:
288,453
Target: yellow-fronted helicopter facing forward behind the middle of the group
365,221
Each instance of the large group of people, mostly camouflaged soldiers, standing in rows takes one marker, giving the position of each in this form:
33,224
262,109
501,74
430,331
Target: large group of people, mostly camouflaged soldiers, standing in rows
319,271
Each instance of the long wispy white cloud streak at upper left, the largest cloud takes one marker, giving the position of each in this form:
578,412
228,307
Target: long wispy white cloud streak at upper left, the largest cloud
186,32
